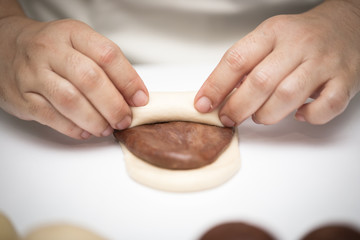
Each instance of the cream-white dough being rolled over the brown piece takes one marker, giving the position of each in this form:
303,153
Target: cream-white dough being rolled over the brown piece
178,106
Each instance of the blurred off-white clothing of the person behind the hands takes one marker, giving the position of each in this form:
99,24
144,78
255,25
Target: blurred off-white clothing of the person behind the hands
168,31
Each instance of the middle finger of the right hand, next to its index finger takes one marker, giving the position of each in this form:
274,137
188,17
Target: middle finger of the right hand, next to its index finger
258,86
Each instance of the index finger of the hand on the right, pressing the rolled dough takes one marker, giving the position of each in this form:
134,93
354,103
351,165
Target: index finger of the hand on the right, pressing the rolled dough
237,62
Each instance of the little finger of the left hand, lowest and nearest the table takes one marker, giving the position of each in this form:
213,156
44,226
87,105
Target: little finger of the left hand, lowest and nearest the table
43,112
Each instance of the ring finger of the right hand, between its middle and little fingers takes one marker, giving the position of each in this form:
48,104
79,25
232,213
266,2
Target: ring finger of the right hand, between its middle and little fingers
291,93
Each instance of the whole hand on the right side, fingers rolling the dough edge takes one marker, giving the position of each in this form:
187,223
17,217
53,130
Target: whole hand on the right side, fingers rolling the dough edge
286,60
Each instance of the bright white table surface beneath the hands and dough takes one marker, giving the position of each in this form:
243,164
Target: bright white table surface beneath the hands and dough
294,177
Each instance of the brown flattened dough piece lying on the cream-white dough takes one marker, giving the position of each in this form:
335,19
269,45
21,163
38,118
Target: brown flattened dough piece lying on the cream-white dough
176,145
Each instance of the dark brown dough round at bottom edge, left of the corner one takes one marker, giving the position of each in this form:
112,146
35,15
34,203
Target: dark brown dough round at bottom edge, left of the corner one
236,231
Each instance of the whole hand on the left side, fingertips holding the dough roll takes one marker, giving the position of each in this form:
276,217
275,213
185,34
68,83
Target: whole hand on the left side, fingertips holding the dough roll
65,75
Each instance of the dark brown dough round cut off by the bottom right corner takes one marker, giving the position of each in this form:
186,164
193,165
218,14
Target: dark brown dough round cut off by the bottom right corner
333,232
